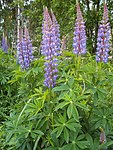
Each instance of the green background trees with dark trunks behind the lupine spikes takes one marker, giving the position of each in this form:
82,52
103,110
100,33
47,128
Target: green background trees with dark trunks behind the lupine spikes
65,12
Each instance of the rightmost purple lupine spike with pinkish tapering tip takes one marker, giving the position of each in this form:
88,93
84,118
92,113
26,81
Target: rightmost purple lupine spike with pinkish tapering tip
103,38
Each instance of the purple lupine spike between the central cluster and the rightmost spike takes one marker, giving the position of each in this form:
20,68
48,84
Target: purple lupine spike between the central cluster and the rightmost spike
79,40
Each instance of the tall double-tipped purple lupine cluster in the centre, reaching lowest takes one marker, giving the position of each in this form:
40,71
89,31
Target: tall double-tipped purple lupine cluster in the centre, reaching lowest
50,47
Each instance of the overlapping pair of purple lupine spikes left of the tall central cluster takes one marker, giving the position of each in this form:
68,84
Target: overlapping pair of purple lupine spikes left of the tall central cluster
24,49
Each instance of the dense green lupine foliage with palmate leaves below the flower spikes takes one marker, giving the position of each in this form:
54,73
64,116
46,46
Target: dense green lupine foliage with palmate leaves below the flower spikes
71,116
